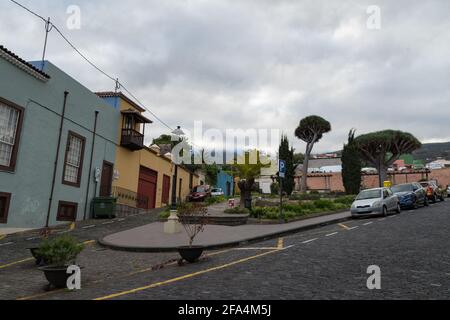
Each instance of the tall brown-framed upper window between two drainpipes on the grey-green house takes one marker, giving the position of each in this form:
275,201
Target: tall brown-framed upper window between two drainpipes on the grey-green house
73,165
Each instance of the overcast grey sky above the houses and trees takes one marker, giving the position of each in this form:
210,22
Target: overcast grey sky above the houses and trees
258,63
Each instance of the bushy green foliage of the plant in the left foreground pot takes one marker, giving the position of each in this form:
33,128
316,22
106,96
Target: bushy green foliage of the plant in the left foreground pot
60,251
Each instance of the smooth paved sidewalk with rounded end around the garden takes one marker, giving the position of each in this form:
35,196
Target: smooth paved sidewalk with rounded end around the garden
151,237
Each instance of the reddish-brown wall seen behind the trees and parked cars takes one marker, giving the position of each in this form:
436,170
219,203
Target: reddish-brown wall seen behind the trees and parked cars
334,182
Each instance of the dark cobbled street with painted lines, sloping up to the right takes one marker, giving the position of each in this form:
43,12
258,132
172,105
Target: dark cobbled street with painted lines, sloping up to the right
326,263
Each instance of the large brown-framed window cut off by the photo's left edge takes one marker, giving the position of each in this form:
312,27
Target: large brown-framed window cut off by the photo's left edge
10,125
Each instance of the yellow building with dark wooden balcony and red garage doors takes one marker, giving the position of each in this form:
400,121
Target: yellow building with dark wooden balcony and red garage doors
143,177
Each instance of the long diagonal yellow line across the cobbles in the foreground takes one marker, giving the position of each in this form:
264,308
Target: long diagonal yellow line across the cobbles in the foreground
191,275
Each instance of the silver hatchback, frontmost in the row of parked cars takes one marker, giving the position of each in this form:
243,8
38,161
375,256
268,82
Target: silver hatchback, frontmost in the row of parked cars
378,201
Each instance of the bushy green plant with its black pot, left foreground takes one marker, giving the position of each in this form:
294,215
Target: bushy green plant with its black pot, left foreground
58,253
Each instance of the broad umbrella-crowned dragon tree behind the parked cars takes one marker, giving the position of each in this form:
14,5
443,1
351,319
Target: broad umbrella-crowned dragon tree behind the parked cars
383,148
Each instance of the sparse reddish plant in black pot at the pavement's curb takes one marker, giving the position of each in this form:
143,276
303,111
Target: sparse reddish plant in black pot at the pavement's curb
193,218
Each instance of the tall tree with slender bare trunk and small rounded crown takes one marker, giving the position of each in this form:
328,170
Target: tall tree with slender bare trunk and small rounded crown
311,131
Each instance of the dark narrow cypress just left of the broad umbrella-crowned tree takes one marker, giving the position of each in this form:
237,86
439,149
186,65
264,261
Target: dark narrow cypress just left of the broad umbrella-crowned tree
351,165
